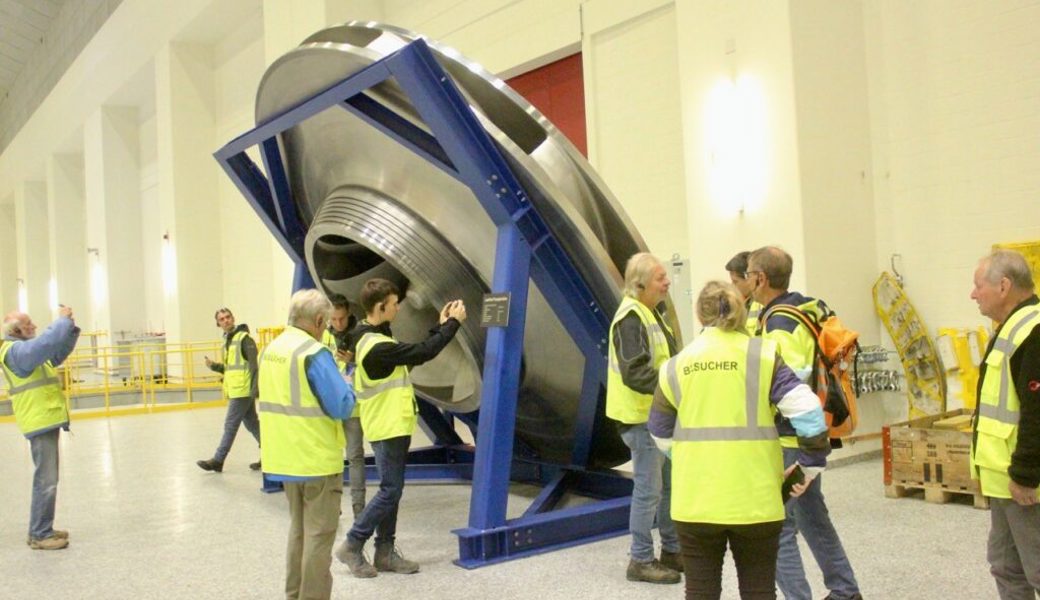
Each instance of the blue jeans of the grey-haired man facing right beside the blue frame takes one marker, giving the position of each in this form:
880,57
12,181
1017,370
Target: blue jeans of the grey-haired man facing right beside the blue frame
652,494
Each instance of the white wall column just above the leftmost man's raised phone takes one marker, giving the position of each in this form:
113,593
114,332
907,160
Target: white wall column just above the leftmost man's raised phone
66,211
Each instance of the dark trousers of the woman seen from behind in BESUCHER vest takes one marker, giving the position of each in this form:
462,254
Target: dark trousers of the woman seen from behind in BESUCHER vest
755,553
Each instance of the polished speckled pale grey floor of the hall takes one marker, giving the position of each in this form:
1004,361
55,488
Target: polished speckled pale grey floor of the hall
146,523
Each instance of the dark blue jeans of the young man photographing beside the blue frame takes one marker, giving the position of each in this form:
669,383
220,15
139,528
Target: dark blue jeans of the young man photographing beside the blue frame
380,516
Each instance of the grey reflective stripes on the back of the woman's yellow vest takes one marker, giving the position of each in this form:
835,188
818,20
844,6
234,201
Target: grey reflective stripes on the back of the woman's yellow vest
750,431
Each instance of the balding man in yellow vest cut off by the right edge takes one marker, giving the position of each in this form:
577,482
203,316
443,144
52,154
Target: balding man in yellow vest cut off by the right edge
1006,441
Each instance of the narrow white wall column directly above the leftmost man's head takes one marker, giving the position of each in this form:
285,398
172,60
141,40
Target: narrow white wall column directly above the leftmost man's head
34,251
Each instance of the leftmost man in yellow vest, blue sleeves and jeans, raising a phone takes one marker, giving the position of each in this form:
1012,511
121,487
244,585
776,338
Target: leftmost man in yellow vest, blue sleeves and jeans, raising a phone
40,410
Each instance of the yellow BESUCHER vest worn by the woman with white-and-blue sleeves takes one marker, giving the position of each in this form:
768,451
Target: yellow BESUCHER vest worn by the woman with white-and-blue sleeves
727,466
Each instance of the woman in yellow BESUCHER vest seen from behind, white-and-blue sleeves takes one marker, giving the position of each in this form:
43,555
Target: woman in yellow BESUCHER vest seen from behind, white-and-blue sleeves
713,414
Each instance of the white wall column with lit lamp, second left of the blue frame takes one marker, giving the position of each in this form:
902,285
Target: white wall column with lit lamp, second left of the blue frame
113,202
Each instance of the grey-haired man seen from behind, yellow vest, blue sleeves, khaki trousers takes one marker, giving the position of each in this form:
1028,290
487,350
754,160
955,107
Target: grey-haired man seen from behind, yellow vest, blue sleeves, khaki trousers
304,401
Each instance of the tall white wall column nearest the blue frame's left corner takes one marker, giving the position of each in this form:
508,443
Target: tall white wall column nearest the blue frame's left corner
189,206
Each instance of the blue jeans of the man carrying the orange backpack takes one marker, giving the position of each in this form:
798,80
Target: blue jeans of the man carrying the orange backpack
809,515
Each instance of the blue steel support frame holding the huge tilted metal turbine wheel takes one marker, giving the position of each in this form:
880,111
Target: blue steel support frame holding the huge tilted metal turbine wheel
527,250
